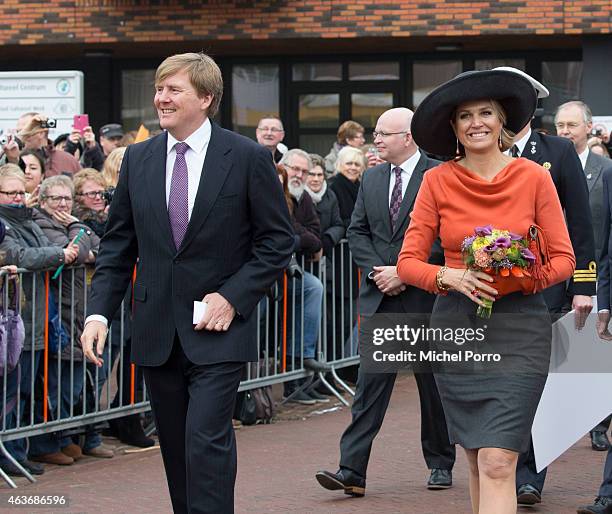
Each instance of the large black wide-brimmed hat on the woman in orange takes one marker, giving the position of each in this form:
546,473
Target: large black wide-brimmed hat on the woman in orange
431,128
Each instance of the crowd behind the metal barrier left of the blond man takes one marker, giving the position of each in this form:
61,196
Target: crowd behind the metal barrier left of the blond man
54,203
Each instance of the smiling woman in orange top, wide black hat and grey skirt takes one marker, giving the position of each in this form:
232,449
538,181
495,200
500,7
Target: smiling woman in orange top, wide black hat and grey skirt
490,414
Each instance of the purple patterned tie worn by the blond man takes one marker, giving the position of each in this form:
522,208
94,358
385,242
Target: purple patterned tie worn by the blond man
178,202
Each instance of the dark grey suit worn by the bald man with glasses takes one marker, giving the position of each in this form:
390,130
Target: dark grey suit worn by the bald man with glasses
373,243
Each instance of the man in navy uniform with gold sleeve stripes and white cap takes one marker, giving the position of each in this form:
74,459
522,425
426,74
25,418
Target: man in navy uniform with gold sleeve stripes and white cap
560,159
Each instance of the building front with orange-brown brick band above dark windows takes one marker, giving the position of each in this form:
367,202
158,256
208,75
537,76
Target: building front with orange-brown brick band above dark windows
314,63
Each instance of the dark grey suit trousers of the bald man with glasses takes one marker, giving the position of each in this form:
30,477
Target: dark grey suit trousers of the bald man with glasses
369,408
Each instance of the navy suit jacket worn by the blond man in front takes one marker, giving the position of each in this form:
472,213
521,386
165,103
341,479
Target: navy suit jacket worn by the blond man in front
238,241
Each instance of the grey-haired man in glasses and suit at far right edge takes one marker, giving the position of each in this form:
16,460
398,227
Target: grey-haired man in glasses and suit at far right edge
574,121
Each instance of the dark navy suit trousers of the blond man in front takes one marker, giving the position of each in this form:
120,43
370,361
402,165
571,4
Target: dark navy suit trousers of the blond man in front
193,406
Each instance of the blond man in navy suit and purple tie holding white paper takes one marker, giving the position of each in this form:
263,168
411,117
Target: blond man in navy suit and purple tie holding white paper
201,211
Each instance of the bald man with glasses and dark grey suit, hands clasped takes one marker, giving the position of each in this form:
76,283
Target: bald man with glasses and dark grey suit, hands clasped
381,216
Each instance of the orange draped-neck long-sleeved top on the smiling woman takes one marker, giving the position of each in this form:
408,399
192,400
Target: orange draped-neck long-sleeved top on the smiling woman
452,201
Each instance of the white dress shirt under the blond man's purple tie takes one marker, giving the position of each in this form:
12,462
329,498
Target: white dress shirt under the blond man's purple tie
194,156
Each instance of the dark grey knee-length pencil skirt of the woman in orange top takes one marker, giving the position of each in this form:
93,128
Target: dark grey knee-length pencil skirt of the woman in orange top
492,405
